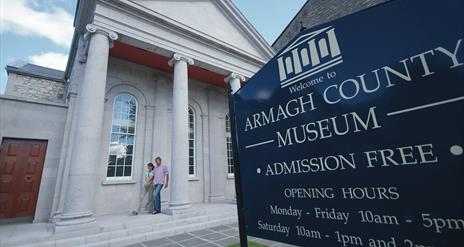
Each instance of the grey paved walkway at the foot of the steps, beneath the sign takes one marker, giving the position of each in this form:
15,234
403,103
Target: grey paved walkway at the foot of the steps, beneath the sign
222,235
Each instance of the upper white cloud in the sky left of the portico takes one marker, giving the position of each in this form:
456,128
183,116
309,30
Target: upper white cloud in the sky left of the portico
53,23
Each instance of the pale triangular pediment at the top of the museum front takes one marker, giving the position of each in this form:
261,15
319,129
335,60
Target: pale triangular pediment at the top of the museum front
218,20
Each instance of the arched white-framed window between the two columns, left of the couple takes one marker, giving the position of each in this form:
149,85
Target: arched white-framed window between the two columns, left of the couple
122,144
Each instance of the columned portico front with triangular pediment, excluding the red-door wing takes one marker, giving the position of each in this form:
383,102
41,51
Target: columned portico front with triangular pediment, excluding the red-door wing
160,90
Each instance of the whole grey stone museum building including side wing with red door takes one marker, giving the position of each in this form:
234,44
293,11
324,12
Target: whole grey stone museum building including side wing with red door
143,79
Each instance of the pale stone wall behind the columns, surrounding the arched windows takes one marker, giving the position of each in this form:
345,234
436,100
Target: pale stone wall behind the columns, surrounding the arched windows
153,92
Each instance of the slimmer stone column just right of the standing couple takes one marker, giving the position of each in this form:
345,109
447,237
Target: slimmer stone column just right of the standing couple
179,158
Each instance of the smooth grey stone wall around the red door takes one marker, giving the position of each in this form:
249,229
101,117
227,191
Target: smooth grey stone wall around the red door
24,119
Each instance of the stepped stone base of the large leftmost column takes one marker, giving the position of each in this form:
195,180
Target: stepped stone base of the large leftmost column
76,222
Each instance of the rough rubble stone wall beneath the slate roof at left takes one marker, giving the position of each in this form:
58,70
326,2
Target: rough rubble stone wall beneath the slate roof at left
33,88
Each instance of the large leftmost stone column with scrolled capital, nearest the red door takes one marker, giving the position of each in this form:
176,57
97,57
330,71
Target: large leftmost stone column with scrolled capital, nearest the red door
78,205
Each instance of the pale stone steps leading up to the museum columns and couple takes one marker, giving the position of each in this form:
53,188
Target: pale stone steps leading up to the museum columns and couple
123,230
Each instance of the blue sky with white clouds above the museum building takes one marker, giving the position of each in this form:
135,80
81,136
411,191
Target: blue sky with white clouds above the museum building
40,31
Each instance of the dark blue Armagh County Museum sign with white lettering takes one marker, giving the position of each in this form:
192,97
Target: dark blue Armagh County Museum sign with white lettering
353,134
